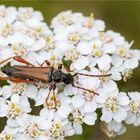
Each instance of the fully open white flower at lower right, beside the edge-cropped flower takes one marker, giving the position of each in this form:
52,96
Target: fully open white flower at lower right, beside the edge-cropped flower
114,105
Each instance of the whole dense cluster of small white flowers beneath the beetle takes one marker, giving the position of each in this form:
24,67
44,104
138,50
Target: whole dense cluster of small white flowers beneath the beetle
82,45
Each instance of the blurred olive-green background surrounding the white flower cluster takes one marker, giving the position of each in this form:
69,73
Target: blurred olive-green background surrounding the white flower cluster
120,16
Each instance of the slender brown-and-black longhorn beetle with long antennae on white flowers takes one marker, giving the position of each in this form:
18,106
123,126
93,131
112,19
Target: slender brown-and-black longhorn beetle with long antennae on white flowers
45,74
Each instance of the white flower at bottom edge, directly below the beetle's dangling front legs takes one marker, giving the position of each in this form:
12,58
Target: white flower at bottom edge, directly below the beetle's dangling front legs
57,127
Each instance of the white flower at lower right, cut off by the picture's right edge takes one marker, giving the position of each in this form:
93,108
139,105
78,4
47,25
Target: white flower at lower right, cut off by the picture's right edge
133,116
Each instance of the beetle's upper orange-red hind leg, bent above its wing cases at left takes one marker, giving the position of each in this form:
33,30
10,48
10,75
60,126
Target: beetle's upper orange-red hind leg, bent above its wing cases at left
18,59
